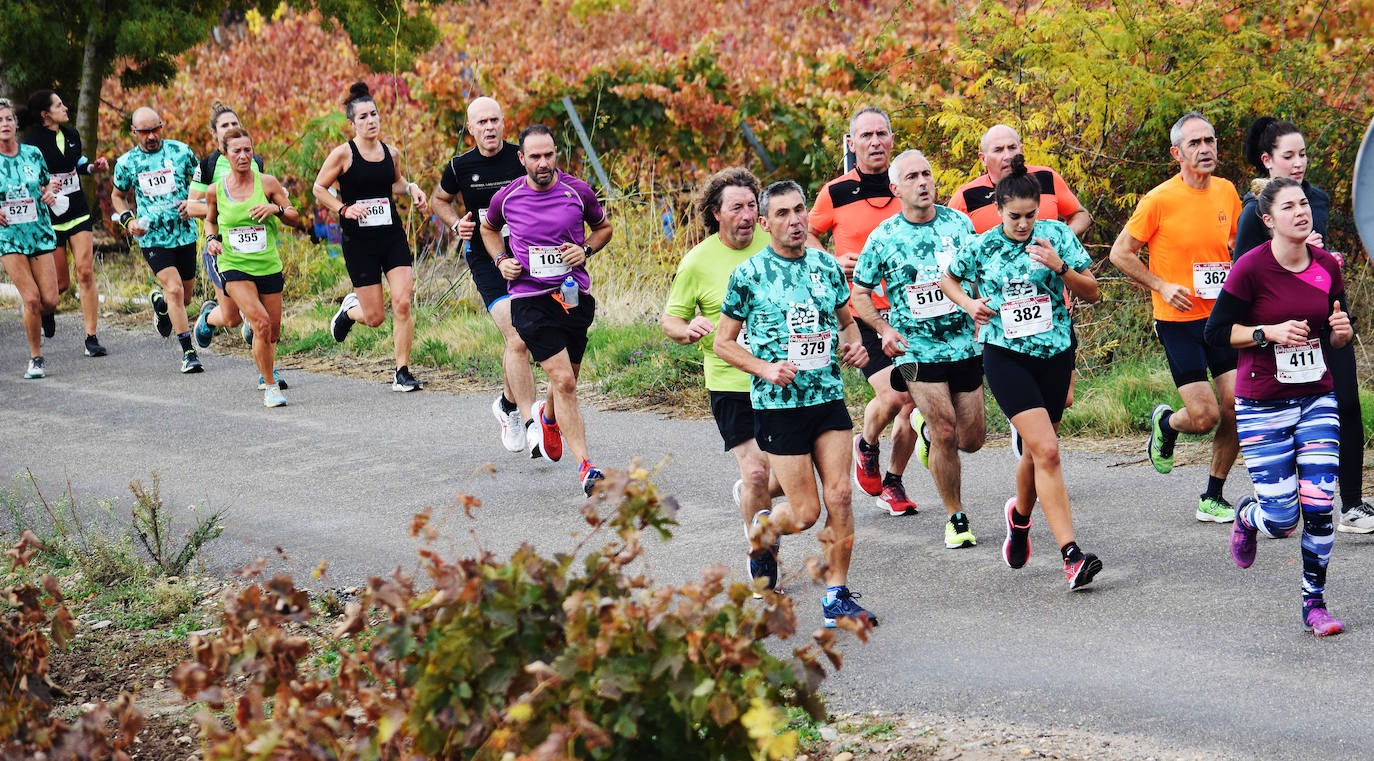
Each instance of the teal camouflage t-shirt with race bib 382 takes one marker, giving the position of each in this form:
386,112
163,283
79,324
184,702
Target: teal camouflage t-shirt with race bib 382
1027,297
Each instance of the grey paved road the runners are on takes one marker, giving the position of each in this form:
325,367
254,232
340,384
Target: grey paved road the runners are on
1173,642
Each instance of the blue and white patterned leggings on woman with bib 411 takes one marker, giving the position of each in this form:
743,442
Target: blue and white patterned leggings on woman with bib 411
1292,450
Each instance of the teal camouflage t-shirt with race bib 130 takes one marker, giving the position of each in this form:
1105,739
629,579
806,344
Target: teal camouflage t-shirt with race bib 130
161,181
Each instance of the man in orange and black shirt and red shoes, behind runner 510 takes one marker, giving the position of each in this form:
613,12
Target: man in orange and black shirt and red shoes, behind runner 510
850,208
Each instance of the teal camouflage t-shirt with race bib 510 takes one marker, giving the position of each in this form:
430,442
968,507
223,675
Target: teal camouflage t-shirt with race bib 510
912,259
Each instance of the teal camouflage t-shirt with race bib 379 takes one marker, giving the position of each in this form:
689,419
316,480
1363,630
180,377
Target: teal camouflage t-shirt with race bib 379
789,308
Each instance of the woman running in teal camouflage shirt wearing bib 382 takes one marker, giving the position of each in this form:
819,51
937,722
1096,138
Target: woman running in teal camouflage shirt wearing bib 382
1022,270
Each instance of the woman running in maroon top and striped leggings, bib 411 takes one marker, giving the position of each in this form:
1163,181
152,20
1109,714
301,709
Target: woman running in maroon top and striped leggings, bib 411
1281,307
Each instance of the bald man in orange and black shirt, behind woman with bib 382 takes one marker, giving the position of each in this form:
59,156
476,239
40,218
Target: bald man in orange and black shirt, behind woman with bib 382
1000,146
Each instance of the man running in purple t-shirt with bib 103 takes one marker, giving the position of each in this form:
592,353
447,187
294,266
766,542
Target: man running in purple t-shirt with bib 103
546,212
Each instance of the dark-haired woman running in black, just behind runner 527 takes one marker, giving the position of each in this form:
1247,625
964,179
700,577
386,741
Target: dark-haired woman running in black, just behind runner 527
46,123
